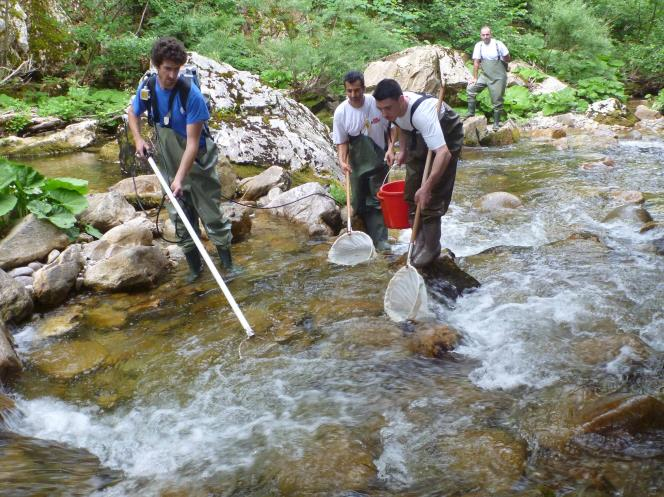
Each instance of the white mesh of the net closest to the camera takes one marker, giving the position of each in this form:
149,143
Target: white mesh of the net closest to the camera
406,297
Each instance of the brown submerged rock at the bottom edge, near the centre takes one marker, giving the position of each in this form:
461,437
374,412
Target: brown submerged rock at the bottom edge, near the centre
333,460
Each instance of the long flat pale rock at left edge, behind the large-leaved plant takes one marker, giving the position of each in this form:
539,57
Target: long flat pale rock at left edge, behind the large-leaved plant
74,137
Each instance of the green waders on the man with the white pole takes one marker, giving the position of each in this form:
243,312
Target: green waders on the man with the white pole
202,190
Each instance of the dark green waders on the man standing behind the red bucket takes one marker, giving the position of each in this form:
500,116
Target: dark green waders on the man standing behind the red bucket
369,169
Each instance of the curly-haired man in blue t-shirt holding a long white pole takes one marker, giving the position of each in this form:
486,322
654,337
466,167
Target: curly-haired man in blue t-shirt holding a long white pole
187,154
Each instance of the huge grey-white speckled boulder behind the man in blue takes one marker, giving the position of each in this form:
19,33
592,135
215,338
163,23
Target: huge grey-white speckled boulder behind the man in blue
255,124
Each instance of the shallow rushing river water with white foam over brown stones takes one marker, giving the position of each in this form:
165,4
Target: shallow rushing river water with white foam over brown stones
329,399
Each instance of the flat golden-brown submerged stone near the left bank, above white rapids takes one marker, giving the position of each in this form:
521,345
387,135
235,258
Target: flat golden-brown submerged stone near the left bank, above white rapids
65,360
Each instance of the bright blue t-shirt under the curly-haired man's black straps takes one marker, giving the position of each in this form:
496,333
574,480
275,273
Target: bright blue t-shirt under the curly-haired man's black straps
196,108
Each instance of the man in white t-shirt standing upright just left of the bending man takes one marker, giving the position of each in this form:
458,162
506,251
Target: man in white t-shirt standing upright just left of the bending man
359,132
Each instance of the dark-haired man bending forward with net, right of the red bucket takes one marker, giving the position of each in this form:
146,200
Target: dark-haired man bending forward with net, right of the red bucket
421,130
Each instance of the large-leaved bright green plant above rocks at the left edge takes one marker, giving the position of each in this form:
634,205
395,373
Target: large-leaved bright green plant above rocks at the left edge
24,190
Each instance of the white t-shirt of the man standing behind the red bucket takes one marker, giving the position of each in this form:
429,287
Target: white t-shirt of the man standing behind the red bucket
367,120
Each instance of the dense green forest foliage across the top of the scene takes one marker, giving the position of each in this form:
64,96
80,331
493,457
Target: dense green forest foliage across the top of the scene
305,45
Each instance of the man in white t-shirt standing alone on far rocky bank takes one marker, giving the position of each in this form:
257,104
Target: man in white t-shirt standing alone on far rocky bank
492,56
